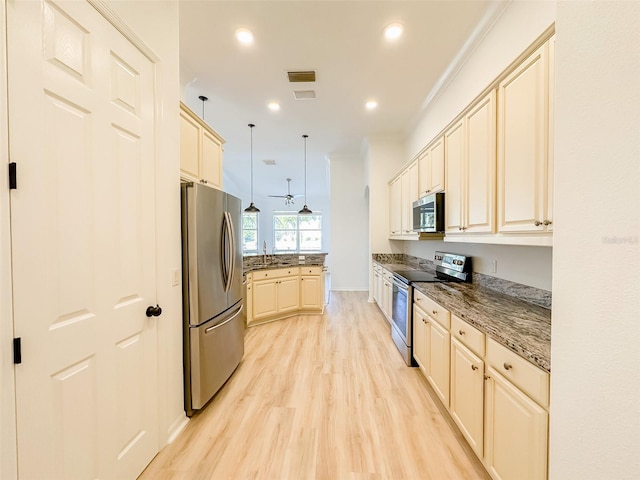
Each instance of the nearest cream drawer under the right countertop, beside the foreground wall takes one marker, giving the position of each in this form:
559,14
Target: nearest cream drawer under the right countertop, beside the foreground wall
522,373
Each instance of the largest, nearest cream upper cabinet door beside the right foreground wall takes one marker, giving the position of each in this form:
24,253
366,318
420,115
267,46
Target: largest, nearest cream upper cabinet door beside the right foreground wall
523,148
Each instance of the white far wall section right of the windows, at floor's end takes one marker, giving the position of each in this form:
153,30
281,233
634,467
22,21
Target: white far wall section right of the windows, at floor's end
349,224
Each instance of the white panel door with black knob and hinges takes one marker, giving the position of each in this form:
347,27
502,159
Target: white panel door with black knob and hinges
81,117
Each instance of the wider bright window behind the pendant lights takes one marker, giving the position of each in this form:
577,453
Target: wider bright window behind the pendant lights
297,233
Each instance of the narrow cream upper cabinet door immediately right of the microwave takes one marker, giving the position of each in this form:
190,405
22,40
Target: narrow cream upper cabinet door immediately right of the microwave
454,158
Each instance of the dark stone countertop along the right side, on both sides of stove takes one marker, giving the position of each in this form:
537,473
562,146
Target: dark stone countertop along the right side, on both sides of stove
523,327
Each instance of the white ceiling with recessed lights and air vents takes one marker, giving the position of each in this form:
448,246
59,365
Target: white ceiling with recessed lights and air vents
341,40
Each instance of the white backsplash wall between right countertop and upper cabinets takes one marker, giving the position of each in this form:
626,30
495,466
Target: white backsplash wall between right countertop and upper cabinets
526,265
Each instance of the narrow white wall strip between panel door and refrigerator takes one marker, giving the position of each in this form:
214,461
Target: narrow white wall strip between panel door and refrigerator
161,34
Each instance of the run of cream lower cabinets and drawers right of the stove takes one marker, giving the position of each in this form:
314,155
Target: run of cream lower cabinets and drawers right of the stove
498,400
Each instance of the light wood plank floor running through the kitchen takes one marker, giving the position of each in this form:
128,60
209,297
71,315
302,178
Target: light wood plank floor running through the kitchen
320,397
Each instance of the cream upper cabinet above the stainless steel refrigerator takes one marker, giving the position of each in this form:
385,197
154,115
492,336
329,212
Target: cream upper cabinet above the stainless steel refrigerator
200,150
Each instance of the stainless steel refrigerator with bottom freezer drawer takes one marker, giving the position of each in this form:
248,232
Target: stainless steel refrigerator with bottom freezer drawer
213,311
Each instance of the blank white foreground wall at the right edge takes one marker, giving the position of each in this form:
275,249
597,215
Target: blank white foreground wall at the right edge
595,382
